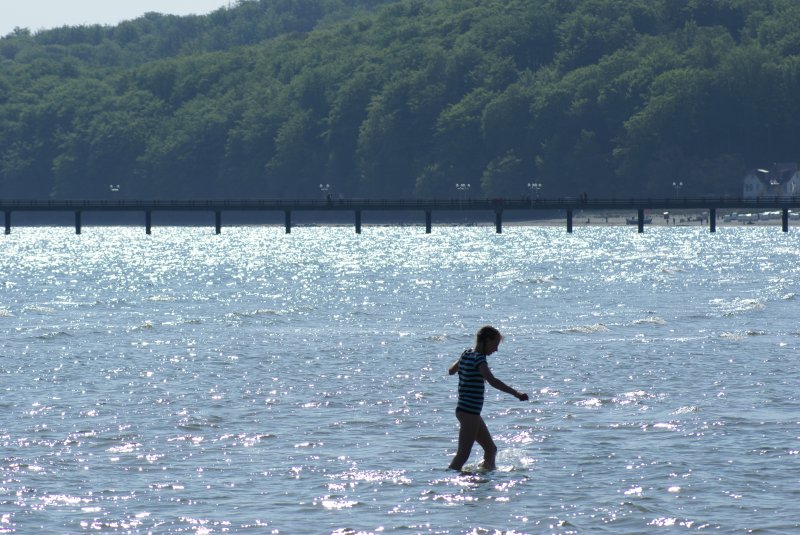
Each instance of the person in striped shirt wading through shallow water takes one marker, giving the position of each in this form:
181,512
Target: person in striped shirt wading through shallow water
473,371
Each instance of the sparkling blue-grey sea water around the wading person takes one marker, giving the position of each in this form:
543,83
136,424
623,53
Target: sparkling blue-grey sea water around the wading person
254,381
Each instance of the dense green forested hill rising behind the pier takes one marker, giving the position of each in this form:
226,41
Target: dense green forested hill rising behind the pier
271,98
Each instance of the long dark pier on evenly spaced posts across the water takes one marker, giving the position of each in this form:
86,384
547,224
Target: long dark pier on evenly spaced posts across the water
498,207
